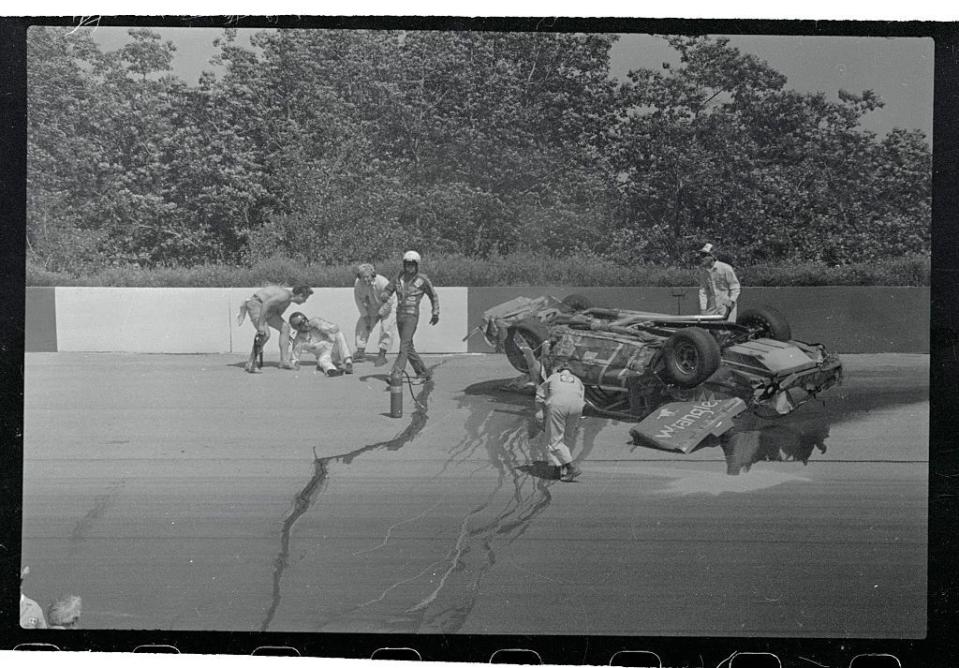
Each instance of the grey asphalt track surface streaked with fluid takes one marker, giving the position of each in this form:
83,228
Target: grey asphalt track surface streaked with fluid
178,492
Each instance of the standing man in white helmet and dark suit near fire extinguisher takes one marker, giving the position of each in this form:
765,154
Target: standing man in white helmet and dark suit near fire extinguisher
410,286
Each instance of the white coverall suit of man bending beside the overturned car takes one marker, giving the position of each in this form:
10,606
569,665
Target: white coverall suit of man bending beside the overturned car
560,399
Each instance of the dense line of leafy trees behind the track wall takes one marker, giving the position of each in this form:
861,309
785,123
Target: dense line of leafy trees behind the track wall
332,146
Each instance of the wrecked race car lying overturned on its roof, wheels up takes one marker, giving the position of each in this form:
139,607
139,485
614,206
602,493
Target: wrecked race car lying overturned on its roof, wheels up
685,378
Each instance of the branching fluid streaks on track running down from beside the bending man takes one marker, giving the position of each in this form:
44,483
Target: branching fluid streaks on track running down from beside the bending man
441,596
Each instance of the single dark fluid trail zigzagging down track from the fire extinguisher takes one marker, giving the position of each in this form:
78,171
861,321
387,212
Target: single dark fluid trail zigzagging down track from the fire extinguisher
305,498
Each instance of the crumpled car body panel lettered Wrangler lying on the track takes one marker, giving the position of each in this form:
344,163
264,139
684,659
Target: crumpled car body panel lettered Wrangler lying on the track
682,425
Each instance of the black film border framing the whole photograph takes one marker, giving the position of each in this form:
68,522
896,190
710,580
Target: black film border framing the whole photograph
937,649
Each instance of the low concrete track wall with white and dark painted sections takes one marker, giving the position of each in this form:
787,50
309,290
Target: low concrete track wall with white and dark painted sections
202,320
